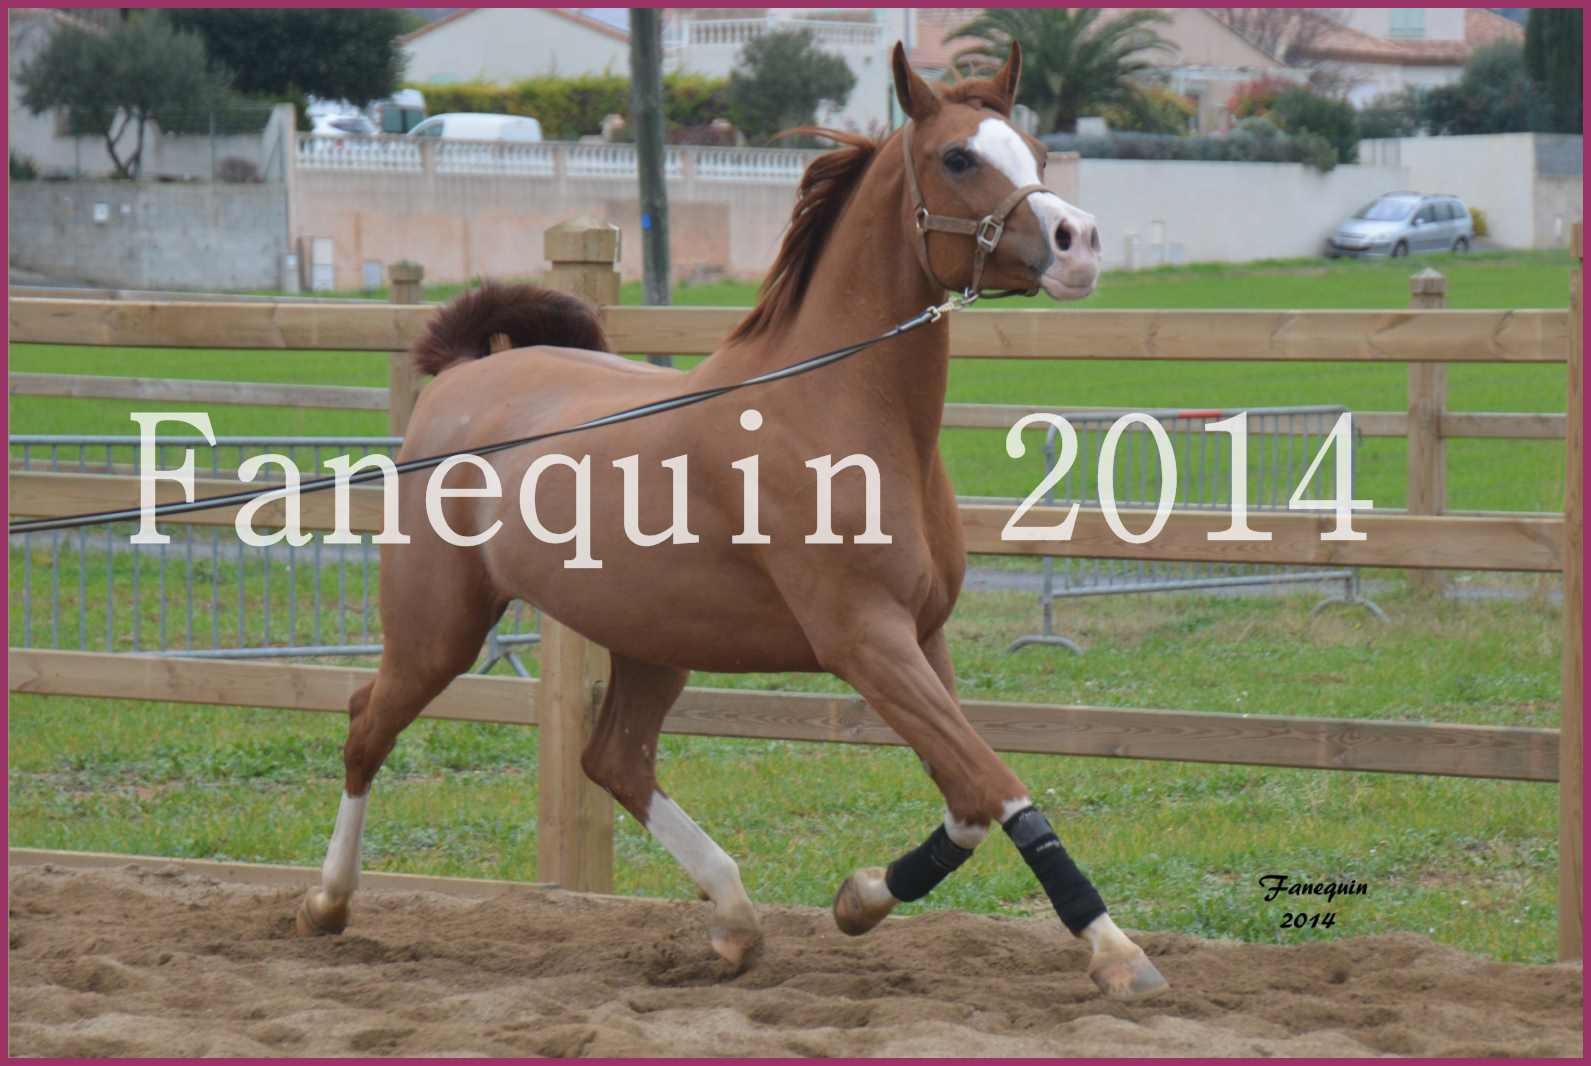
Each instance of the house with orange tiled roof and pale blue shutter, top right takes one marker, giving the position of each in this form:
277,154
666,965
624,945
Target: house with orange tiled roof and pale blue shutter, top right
1388,50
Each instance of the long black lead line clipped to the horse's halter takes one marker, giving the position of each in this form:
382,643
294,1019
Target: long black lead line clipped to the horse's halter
631,414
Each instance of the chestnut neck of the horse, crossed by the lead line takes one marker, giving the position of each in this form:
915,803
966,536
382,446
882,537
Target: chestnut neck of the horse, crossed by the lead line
868,279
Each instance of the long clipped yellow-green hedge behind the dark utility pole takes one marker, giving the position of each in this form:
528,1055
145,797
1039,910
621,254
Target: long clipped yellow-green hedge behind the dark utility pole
574,107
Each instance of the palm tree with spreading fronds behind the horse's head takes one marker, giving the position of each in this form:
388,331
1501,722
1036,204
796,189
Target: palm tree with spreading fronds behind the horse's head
1075,61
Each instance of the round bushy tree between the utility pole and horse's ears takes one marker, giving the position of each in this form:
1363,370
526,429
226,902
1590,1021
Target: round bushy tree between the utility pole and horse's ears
780,82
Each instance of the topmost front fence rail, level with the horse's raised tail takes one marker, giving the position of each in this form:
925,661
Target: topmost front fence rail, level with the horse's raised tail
1318,337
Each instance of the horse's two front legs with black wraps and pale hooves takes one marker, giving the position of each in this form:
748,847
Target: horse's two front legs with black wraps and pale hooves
912,687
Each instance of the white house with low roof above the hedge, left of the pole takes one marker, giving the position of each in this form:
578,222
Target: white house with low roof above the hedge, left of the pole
507,45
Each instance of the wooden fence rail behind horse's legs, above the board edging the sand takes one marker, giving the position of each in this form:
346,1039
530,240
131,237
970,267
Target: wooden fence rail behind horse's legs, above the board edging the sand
1313,744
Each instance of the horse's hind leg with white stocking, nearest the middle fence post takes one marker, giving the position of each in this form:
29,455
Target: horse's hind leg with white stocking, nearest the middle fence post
623,757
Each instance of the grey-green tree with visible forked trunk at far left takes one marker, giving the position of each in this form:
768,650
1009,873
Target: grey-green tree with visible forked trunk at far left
120,79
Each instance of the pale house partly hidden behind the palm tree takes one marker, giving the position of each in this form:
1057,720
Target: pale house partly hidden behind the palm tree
1207,64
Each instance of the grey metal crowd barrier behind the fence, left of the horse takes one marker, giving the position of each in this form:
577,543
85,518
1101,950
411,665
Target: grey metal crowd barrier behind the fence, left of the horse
206,594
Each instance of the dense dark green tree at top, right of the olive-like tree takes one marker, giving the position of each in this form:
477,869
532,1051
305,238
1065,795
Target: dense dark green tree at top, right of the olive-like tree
287,53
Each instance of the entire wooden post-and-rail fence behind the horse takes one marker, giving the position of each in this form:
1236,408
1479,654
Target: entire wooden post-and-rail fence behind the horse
577,820
